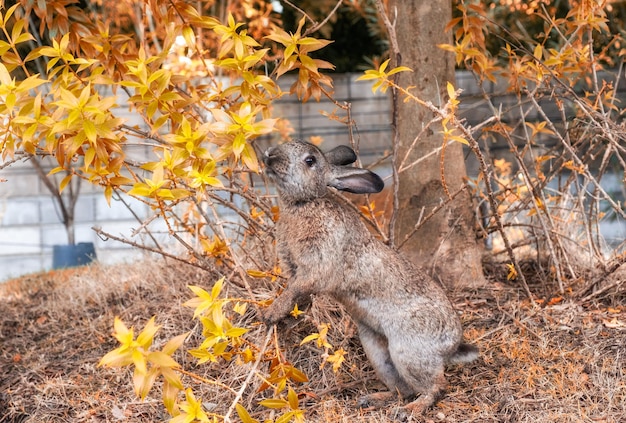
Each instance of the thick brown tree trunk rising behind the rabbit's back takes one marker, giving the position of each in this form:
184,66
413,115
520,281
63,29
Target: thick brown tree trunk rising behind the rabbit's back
446,244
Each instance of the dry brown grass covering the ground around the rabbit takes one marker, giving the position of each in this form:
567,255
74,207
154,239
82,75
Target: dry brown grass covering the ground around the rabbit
558,363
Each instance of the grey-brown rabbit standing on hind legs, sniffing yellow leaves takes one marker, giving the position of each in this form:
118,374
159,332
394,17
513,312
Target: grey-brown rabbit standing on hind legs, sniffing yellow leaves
407,325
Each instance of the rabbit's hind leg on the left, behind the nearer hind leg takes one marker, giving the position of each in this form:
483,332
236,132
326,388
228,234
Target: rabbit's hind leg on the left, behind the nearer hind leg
376,349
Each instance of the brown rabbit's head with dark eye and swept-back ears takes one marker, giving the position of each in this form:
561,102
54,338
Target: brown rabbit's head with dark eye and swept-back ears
302,172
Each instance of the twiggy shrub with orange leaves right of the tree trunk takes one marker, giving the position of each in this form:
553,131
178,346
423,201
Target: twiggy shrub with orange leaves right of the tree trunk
563,176
